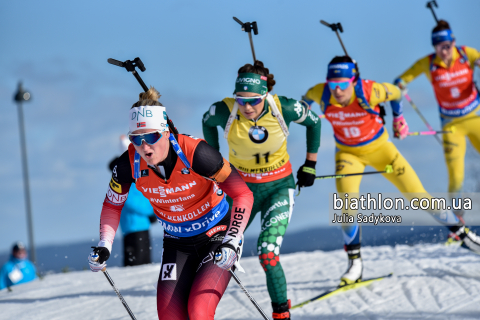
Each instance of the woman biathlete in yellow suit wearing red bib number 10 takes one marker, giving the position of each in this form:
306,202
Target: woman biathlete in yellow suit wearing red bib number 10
351,105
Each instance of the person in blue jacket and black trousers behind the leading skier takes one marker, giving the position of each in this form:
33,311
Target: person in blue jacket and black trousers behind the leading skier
135,220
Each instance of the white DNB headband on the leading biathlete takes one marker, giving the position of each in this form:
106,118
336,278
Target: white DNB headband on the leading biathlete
148,117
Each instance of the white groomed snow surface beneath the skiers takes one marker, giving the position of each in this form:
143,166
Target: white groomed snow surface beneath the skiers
429,282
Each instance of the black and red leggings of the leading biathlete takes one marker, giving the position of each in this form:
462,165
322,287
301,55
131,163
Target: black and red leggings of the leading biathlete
190,285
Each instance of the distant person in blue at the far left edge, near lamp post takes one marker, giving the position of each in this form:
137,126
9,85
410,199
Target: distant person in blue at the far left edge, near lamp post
18,269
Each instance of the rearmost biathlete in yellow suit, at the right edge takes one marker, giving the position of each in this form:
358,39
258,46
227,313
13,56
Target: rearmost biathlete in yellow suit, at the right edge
450,70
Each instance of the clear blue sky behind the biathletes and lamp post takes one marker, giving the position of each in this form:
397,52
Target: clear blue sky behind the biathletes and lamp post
192,51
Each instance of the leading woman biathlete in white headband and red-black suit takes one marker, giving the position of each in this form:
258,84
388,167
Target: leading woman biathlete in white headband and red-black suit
185,180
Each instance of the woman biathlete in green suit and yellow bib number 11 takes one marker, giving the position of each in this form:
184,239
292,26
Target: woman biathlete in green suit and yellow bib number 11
256,126
